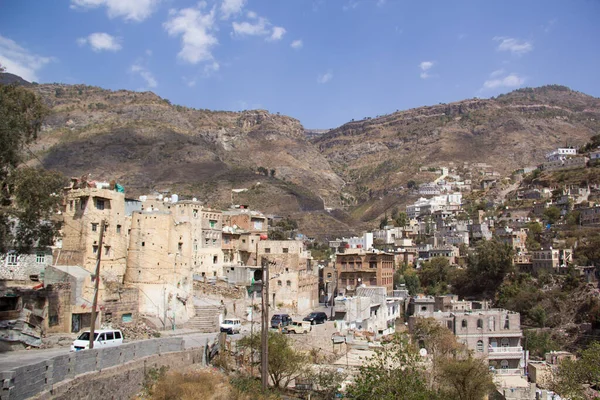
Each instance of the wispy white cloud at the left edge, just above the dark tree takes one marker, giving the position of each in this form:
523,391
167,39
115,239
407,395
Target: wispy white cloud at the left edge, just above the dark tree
20,61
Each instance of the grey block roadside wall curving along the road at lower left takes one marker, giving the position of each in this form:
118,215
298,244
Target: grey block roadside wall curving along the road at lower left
112,373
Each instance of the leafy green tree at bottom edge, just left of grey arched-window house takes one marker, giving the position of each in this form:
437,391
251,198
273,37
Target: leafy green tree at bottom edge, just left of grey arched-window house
394,372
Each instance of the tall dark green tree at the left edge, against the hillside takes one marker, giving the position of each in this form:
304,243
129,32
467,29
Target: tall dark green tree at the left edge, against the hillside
28,196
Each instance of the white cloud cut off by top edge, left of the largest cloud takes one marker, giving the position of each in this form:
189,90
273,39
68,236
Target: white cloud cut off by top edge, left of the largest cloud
130,10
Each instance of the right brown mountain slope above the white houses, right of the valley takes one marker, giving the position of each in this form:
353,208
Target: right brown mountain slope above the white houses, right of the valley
508,132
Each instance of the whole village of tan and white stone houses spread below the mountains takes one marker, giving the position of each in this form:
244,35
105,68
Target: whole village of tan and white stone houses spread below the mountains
170,263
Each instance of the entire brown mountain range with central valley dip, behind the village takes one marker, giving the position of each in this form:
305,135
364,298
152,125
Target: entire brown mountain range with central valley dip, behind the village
334,182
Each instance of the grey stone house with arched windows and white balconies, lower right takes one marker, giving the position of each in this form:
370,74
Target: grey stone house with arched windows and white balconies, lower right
494,334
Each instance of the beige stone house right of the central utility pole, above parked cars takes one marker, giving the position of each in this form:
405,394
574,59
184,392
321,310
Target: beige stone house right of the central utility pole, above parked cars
293,282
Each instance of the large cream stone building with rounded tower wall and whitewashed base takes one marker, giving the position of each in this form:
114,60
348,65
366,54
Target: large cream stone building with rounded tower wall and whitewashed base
170,245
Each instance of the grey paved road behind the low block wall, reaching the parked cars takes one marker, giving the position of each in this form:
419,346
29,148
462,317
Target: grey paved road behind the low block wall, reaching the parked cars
14,359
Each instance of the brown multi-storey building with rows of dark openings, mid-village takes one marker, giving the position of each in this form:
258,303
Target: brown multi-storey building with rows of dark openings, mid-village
364,268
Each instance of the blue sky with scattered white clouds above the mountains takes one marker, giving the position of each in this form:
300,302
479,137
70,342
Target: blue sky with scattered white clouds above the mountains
324,62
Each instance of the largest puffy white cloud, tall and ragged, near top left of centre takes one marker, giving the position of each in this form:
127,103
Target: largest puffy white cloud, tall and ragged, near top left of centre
195,30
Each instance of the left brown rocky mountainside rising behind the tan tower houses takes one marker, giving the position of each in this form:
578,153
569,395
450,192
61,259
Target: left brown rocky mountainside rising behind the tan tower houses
148,144
